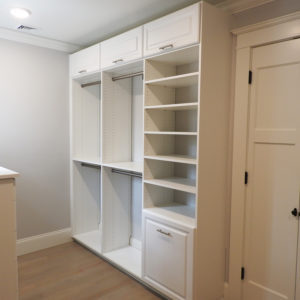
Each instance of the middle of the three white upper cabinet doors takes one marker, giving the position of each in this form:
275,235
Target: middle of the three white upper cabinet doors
122,48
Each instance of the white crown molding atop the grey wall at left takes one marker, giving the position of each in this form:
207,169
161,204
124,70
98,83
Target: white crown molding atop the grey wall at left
34,40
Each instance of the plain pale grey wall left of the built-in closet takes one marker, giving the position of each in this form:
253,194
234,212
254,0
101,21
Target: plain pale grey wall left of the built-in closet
34,134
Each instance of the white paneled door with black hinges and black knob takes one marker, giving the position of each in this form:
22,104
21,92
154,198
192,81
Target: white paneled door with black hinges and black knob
271,230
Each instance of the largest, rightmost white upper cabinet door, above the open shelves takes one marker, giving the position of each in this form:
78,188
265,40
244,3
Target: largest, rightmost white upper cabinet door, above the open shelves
172,31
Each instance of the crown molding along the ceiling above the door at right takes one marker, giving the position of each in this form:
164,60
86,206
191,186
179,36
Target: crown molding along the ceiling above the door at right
237,6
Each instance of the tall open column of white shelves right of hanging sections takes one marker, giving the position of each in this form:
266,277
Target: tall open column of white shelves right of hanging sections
170,133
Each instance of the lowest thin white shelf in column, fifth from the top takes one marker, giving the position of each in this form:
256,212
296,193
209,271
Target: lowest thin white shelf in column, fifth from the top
176,183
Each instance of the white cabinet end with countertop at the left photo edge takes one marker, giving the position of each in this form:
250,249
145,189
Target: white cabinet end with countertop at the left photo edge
8,235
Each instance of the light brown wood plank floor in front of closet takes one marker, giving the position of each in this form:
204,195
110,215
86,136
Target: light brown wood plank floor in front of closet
70,272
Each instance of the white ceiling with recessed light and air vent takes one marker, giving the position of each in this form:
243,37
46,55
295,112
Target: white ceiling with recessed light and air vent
84,22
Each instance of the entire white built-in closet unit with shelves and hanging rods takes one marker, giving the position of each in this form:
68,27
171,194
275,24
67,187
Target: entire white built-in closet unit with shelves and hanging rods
149,122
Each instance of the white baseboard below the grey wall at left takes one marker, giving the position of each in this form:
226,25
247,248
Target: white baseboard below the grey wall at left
43,241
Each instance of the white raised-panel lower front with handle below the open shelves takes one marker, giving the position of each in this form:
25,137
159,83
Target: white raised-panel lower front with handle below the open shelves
166,256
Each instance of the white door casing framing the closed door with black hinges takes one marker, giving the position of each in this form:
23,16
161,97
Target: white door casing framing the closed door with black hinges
268,32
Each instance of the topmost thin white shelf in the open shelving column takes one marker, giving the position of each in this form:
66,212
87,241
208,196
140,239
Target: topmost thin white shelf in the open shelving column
176,81
